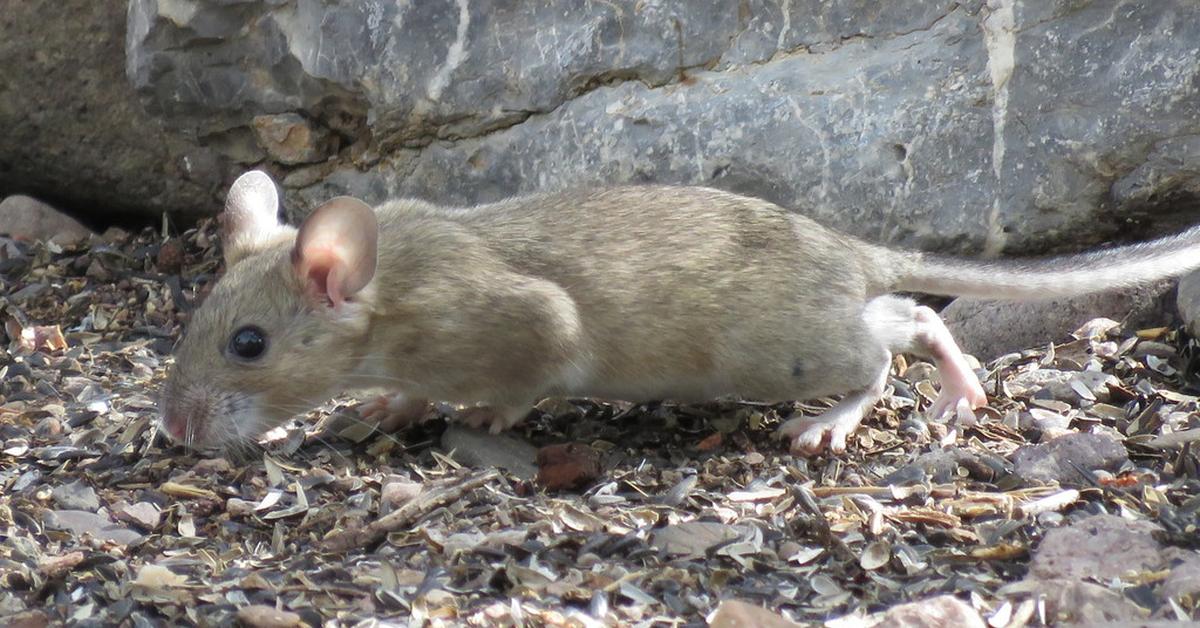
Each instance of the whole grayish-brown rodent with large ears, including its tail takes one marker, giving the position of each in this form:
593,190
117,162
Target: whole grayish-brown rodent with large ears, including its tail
634,294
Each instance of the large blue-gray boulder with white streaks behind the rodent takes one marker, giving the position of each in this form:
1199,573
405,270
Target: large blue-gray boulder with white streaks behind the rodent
946,125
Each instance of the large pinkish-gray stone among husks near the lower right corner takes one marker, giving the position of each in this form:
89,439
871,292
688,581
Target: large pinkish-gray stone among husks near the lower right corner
1101,548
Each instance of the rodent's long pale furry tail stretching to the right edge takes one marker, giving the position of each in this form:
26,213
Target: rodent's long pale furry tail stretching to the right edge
1055,277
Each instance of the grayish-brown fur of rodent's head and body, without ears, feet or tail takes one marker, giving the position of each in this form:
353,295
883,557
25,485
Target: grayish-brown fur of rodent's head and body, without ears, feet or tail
627,294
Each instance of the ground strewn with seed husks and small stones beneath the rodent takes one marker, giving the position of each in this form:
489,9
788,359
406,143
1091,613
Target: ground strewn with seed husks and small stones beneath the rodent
1073,498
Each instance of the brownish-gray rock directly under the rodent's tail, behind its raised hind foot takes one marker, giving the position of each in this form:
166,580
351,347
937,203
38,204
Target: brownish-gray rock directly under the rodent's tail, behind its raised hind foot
989,330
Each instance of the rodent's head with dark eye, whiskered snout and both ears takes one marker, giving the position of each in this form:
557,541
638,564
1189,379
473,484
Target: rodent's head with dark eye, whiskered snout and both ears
281,328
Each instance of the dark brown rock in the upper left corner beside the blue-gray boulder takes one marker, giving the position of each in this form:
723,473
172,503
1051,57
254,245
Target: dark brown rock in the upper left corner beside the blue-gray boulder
76,133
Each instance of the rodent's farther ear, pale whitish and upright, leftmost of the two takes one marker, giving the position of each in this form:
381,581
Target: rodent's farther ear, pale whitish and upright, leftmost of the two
251,216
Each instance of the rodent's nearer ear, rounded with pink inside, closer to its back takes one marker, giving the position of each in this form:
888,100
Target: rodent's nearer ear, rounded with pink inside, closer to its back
335,252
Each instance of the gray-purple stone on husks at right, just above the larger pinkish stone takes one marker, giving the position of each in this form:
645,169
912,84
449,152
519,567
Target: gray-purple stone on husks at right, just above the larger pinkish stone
1063,459
